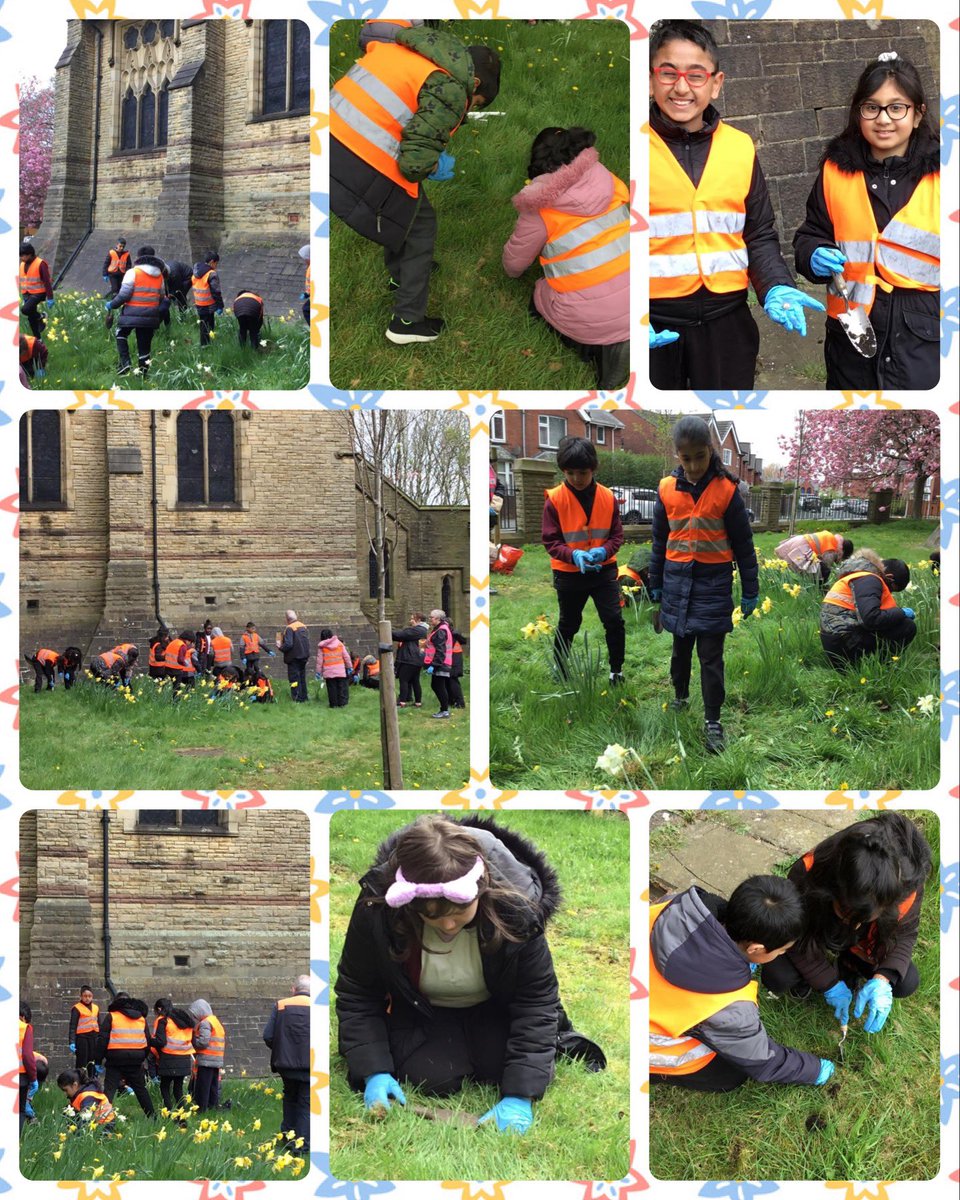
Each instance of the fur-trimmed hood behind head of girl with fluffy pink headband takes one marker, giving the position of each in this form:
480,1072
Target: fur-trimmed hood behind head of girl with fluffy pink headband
509,855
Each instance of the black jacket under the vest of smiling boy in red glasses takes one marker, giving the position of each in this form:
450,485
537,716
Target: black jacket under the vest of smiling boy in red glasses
766,267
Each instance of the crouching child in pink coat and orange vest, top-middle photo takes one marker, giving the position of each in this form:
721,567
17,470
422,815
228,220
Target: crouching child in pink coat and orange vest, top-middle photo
575,217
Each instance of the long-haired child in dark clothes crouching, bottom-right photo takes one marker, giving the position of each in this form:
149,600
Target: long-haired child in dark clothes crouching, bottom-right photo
862,891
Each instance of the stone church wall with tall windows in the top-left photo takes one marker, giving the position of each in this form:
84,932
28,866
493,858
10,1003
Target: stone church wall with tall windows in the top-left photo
188,136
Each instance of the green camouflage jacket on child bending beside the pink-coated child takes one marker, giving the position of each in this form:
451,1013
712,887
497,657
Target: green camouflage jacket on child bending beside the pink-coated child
443,100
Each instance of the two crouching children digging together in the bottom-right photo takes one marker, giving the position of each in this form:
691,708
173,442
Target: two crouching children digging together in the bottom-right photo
842,926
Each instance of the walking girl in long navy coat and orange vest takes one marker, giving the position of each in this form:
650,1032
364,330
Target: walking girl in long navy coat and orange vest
700,529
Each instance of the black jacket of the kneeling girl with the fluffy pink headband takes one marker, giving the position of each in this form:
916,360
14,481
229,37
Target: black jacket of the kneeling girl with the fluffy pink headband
519,975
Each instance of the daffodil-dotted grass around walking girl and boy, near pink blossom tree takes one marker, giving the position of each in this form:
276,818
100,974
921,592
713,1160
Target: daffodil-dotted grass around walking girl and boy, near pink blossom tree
791,721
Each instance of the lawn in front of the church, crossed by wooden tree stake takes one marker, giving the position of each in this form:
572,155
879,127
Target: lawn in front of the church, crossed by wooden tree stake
220,746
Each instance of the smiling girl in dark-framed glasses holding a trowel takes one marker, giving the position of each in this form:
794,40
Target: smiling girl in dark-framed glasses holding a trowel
874,217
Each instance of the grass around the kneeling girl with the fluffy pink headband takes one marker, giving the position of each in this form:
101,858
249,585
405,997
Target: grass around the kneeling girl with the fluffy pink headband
581,1127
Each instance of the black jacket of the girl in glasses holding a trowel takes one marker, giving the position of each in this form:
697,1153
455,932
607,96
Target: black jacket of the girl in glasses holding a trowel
907,321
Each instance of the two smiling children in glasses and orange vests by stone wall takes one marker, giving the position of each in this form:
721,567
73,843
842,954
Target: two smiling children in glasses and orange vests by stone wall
873,218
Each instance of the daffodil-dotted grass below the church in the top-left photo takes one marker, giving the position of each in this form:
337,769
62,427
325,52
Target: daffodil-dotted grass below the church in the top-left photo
83,353
